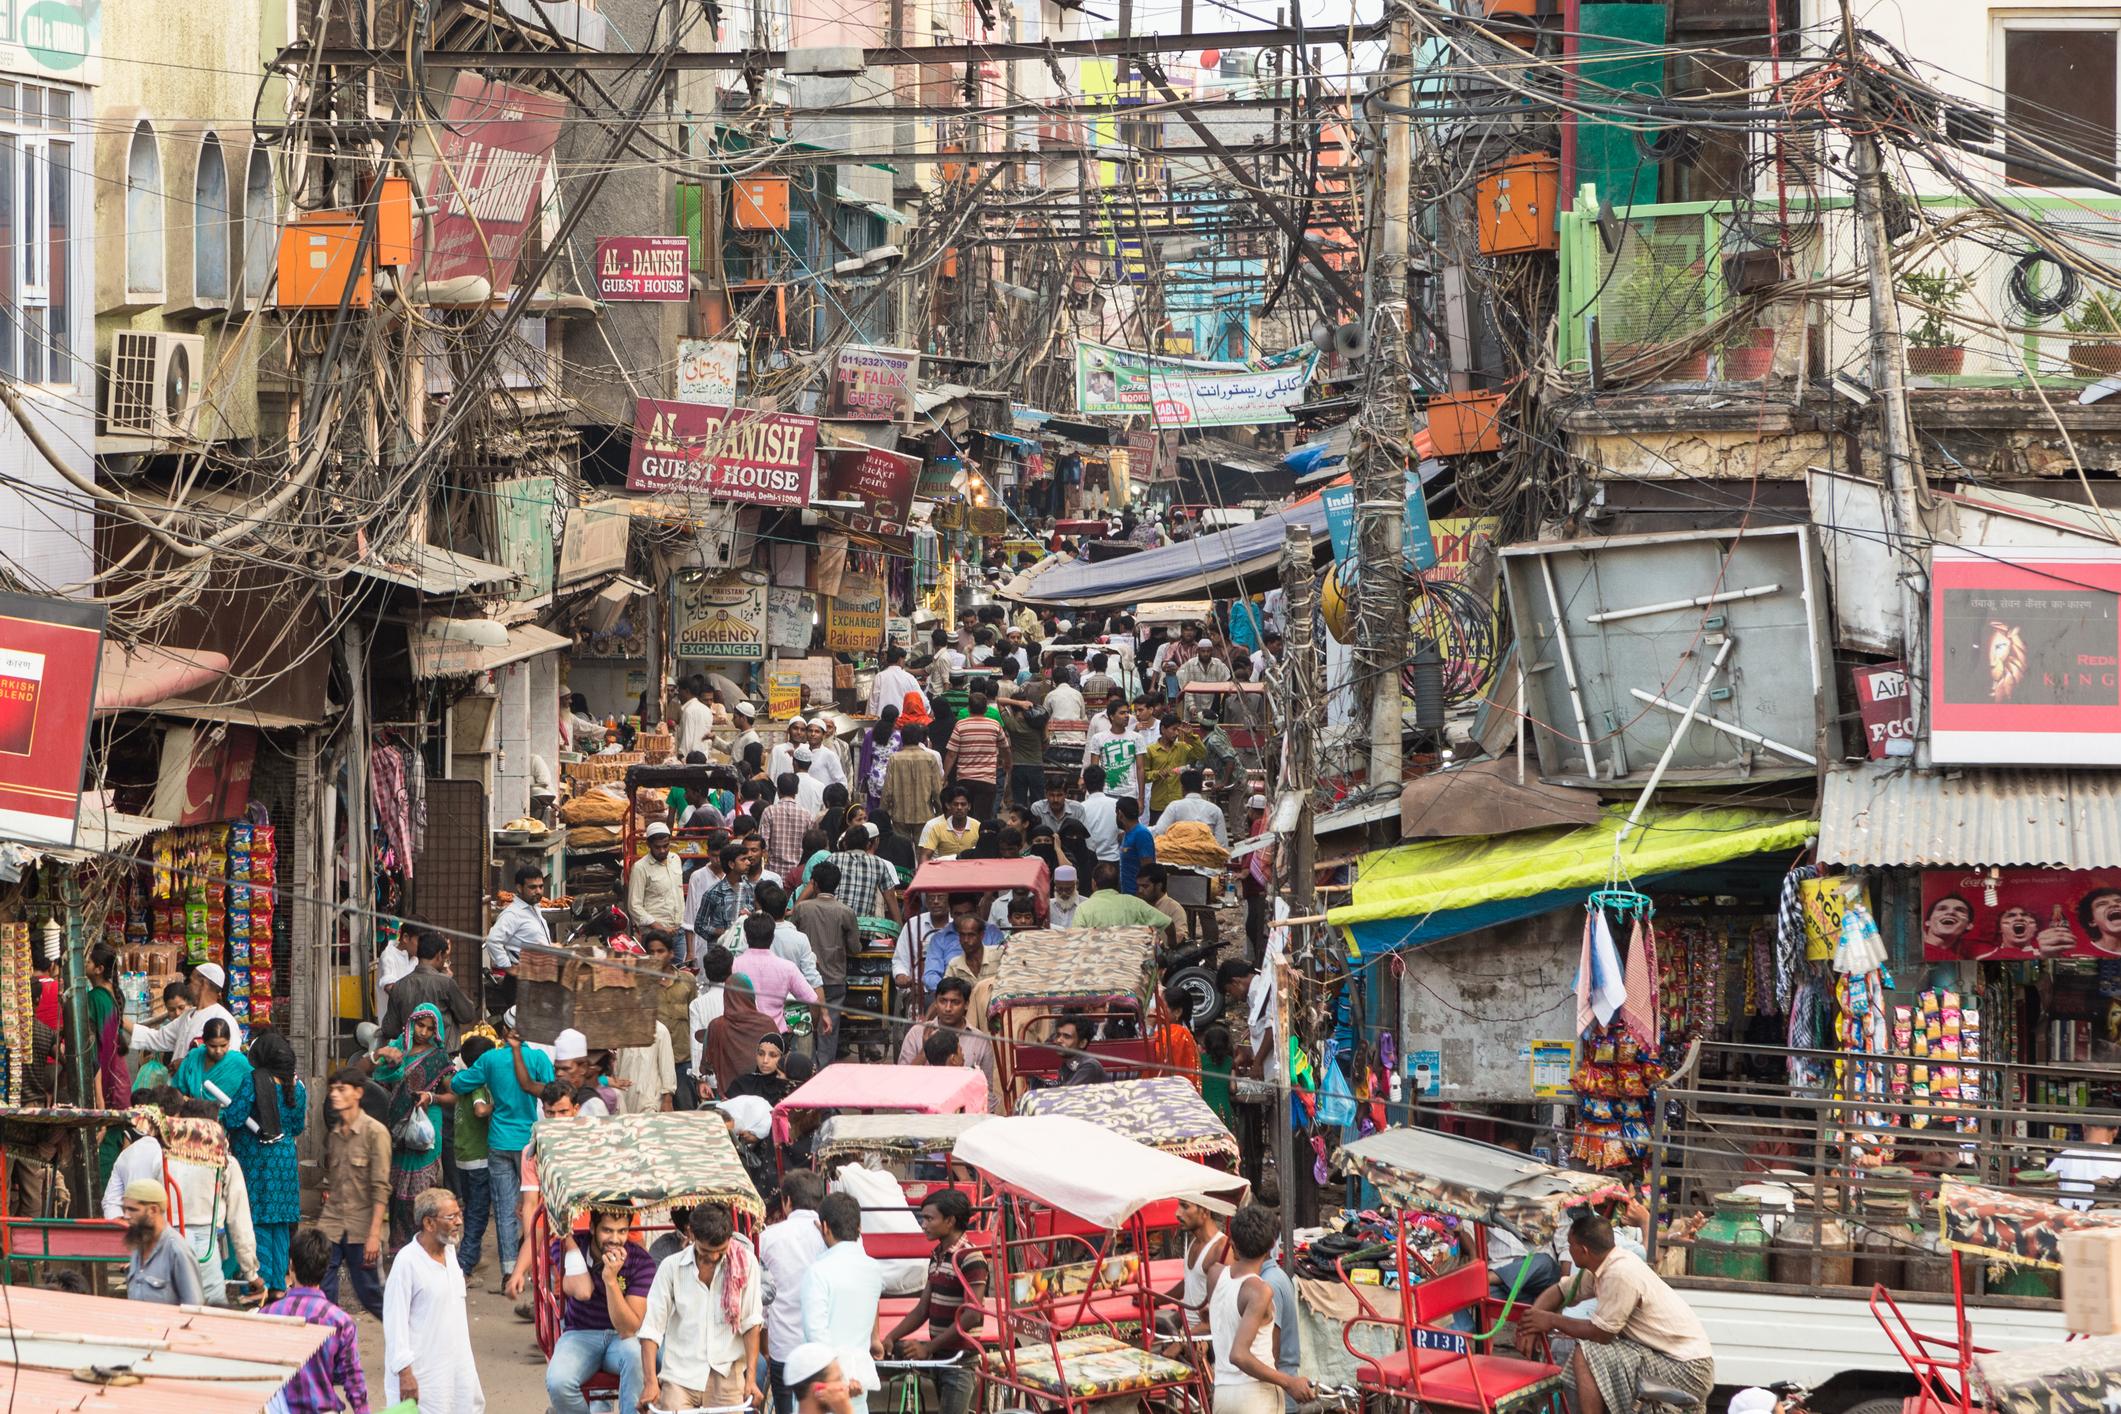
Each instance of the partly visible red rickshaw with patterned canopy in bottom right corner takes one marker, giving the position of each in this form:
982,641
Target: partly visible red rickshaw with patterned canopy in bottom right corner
1986,1222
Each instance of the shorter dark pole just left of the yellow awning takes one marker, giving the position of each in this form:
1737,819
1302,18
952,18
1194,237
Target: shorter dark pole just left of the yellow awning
1301,707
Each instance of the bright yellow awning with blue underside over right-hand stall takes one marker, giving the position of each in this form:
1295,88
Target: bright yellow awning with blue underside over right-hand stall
1420,894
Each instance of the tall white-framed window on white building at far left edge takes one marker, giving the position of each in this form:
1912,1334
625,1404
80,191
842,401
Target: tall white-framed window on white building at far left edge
37,222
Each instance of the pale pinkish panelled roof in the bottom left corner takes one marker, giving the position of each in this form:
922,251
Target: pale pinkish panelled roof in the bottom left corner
186,1358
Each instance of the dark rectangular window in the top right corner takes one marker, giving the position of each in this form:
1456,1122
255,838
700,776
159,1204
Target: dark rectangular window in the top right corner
2061,94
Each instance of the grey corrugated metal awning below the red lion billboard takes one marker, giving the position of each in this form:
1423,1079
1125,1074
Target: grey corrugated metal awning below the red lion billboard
1889,813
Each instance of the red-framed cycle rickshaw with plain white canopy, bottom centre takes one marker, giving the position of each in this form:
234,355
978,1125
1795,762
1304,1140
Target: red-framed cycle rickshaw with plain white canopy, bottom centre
1076,1318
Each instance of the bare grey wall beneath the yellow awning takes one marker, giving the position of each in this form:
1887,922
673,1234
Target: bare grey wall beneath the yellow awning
1484,997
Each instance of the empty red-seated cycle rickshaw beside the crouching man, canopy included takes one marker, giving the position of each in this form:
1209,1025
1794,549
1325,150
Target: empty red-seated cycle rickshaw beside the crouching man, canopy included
1424,1176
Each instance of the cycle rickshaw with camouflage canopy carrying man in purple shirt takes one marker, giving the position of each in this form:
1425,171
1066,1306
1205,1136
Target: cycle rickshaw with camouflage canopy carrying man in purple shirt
639,1165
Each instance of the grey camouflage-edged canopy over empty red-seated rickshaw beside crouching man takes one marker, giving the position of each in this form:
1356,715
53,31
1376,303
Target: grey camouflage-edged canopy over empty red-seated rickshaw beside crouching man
1462,1178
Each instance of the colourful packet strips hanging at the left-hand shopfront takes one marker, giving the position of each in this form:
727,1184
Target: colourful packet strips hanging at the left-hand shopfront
213,902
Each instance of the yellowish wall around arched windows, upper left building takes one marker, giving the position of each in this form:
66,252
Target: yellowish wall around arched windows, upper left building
192,107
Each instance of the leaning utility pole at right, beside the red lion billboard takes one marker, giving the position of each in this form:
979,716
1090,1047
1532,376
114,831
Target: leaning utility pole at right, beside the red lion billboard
1901,470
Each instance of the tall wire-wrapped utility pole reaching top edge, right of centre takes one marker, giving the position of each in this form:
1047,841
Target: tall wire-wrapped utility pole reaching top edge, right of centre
1382,476
